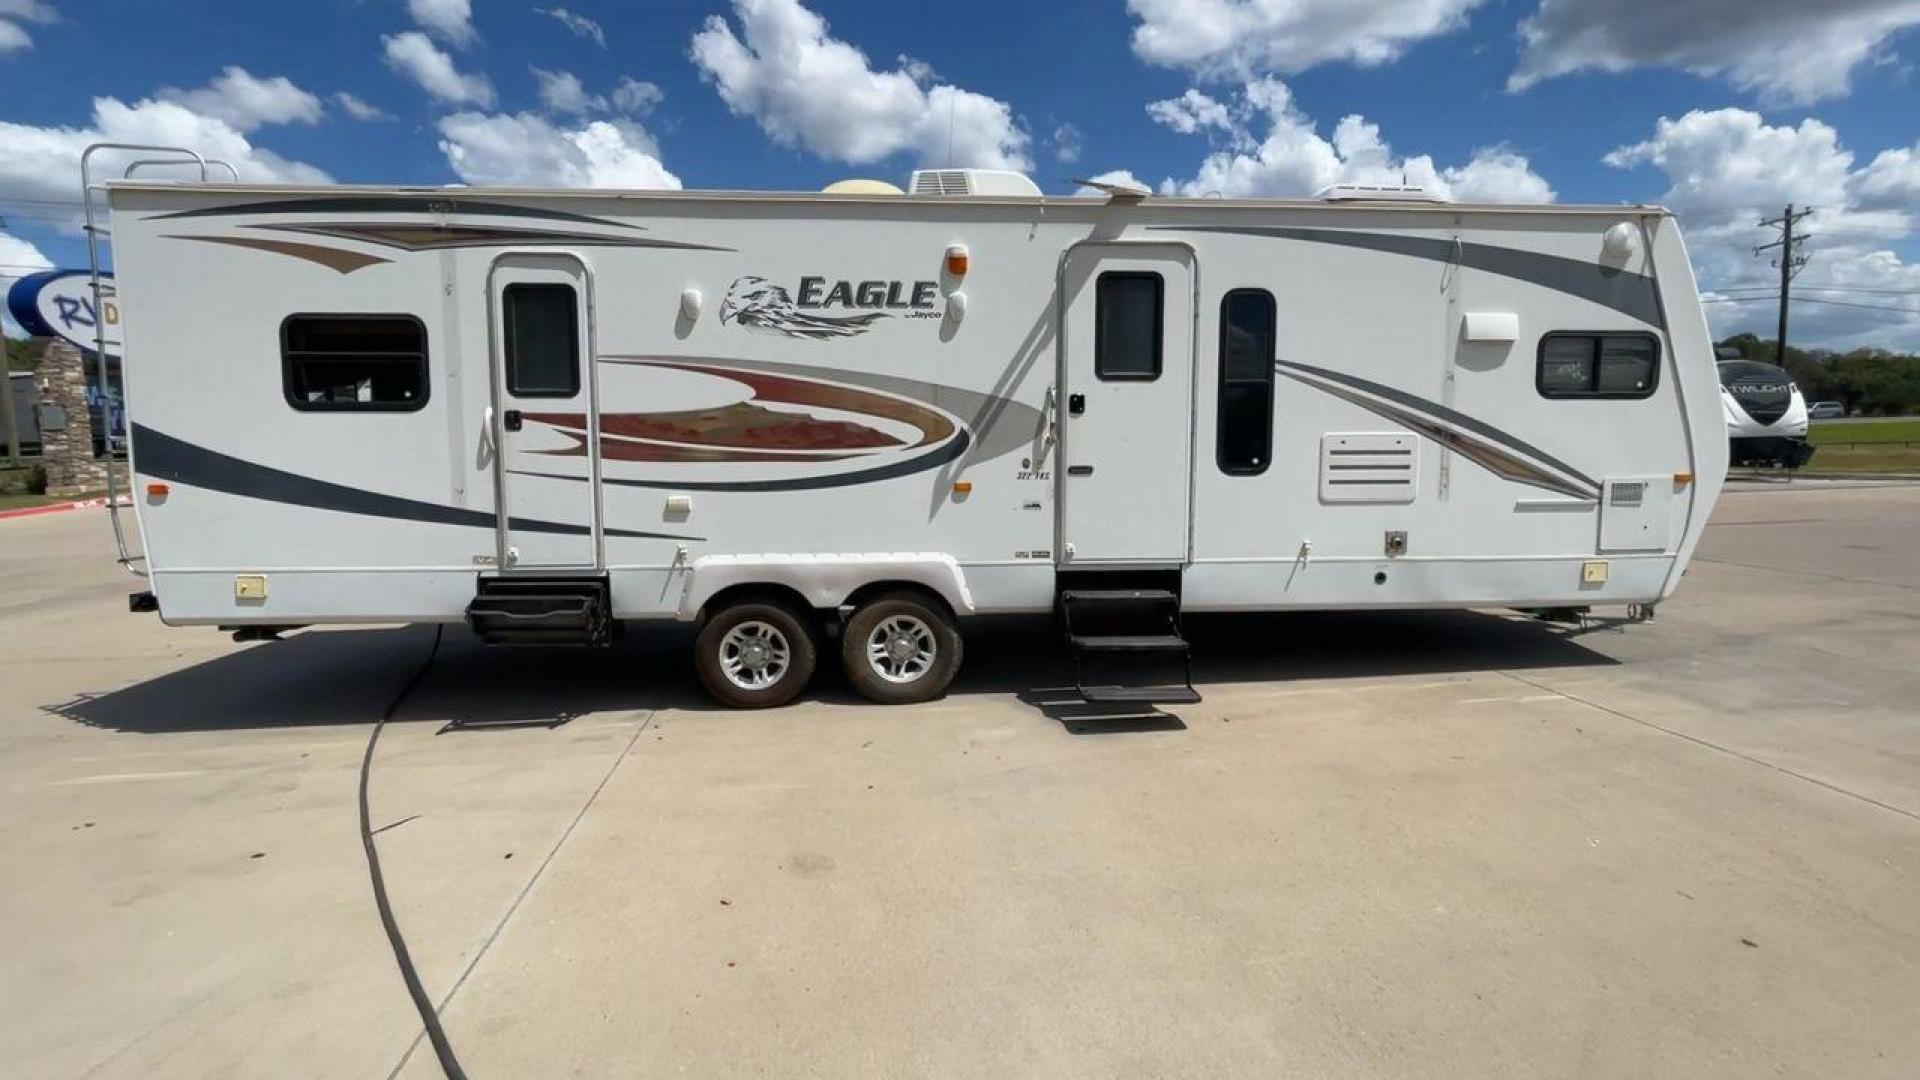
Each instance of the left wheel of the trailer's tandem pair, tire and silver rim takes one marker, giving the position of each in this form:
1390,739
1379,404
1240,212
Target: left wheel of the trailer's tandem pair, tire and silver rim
732,672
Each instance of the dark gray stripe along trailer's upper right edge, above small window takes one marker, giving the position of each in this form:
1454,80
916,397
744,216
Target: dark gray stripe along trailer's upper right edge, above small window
1627,293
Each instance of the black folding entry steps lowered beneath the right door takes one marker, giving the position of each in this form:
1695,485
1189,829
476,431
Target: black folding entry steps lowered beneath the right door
1128,643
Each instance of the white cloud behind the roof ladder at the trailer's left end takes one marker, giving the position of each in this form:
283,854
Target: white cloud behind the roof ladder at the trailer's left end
45,162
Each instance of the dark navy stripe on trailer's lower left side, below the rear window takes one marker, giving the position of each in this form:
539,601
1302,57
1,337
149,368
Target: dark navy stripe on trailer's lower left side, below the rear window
168,458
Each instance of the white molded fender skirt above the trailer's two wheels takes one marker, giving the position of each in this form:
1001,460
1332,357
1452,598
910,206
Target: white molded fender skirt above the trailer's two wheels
827,581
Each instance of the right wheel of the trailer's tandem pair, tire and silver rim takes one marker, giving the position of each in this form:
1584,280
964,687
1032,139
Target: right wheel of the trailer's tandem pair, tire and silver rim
903,677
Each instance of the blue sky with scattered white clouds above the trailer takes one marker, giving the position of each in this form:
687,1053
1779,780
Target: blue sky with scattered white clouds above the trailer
1721,109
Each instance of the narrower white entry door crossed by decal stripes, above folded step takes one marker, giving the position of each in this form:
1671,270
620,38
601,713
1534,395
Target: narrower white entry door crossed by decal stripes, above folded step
546,424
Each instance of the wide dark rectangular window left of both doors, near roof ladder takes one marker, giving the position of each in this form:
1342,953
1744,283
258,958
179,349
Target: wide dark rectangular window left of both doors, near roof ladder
354,364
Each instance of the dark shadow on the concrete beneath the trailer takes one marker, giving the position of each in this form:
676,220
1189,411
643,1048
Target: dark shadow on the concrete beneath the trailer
348,677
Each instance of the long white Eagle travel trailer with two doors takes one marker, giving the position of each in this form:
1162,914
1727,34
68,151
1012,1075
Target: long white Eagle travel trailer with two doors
848,422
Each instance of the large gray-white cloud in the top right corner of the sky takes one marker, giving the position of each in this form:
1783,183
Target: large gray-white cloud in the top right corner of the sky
1787,51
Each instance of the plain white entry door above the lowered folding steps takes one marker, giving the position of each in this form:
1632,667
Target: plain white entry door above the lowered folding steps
1126,430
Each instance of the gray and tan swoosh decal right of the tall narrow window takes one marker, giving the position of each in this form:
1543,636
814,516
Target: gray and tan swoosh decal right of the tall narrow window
1477,441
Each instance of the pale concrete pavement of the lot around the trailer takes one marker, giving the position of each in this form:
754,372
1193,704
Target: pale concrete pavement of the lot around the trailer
1399,845
